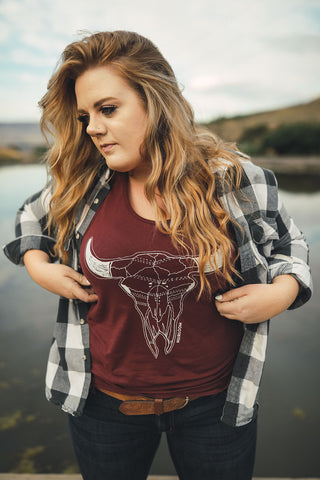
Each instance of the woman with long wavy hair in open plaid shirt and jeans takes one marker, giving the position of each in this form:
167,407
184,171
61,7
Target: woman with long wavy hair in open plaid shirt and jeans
174,252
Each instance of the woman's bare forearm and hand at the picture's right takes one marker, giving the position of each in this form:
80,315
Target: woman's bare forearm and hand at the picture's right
258,302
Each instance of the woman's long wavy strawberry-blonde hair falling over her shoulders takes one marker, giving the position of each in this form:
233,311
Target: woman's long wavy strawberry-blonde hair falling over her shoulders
183,156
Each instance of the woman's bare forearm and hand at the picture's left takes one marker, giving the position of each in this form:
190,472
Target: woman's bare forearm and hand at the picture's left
59,279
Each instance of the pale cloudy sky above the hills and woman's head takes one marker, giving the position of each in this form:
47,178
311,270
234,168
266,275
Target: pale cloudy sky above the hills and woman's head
230,56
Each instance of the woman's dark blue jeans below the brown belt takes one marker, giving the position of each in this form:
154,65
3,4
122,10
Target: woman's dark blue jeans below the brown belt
112,446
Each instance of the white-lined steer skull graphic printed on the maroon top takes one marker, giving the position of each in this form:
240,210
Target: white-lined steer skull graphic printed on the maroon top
157,291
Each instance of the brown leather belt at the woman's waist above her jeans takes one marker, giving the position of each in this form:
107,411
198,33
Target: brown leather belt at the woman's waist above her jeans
140,405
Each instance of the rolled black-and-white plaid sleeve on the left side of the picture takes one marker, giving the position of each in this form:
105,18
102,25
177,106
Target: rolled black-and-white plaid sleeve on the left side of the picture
31,228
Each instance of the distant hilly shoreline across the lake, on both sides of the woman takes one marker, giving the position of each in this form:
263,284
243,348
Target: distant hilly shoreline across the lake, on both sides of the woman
286,140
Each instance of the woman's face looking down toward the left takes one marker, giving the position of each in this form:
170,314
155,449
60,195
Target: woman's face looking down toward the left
115,119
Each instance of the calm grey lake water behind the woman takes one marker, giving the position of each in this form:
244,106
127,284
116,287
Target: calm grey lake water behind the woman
33,433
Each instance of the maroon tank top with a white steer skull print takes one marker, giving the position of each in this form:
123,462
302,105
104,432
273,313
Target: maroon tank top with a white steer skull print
148,333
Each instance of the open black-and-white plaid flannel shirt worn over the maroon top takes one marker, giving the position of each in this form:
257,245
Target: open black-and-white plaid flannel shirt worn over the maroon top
269,245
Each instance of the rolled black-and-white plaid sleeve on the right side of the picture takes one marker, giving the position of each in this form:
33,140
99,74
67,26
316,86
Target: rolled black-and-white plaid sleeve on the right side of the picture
267,228
